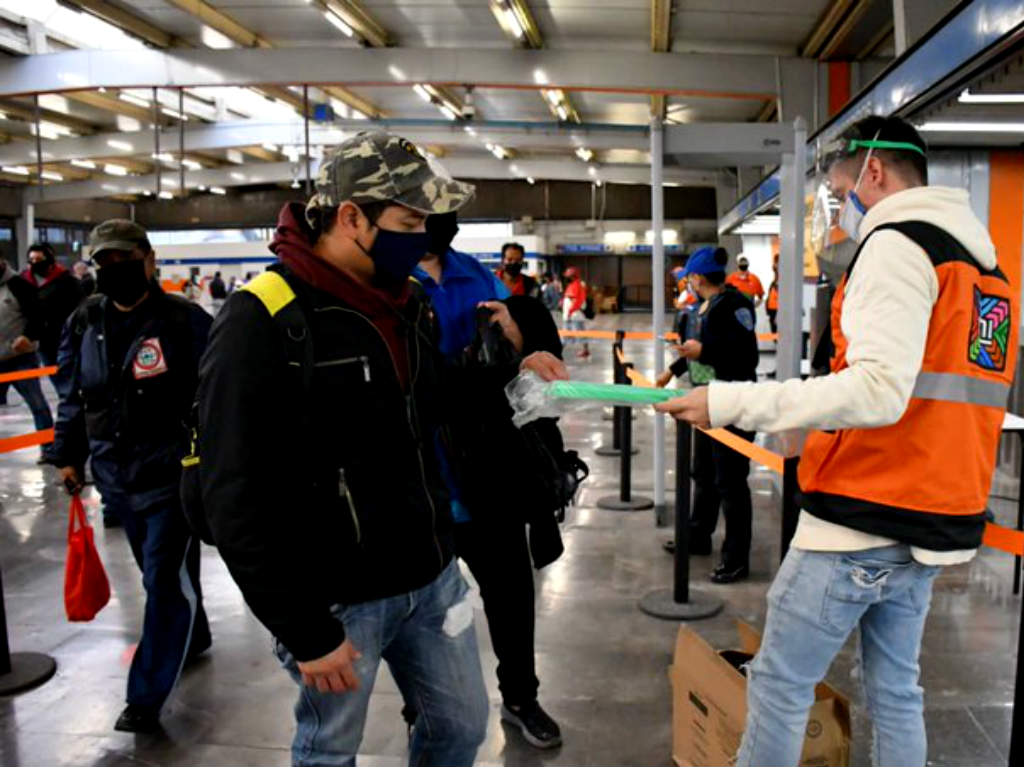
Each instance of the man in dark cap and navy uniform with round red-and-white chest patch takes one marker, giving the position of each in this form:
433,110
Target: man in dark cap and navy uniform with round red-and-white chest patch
132,354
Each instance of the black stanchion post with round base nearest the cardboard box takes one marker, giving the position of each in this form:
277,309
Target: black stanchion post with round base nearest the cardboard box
680,603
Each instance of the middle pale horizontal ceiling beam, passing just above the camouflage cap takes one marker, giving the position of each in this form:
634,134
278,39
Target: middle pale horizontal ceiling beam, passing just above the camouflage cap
251,134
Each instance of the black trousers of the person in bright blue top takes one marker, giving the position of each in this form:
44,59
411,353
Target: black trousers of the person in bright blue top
498,557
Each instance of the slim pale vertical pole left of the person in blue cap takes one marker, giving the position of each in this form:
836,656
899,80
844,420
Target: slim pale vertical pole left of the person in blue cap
658,300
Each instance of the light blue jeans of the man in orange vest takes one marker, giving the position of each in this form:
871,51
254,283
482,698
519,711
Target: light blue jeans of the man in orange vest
817,602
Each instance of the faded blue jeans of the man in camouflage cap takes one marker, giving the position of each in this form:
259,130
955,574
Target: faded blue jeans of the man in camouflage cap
429,642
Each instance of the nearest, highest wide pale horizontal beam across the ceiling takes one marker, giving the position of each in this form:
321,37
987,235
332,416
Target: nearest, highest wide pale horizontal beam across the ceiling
744,77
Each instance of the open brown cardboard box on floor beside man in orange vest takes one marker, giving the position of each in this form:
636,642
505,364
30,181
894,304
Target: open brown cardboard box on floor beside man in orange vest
709,707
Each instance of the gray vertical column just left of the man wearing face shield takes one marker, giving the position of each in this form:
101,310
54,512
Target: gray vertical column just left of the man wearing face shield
791,264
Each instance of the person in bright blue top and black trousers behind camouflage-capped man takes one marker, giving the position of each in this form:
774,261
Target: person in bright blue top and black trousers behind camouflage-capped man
491,527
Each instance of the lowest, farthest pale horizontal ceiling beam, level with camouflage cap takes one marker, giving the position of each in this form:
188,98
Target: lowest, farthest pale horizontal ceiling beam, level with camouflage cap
461,167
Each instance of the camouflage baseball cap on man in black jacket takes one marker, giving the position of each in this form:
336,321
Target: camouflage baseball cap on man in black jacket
376,166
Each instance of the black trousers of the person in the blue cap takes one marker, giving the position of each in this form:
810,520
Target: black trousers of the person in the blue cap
720,476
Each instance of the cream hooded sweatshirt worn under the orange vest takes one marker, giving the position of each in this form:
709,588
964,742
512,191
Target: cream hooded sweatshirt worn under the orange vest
886,313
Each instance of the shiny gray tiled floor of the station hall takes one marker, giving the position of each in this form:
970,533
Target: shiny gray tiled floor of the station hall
602,662
